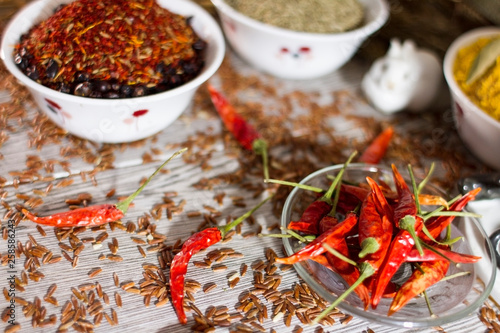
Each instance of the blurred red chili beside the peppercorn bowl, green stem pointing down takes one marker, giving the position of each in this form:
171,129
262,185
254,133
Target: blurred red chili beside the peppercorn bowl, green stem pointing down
244,133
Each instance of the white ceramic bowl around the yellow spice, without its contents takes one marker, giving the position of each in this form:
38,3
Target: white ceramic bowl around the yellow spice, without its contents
479,131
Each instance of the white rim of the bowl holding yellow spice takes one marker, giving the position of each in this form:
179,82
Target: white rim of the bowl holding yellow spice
449,59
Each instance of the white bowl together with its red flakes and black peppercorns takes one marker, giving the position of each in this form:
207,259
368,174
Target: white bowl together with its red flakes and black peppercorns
119,71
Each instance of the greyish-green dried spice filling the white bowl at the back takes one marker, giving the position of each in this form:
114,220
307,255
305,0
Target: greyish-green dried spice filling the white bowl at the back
316,16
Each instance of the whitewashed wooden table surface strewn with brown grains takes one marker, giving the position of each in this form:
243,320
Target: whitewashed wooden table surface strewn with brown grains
42,168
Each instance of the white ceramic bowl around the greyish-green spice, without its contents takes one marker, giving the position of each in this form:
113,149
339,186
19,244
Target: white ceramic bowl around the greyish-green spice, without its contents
309,55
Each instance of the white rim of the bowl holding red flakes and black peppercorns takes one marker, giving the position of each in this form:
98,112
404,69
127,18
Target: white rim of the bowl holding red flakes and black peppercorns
209,69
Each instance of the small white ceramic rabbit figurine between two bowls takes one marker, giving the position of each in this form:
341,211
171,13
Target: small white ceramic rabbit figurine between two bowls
406,78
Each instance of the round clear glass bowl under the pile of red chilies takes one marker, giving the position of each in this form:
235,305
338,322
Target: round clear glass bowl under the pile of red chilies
450,300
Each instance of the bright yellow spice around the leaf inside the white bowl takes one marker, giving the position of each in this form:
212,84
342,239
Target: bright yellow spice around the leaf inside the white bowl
484,92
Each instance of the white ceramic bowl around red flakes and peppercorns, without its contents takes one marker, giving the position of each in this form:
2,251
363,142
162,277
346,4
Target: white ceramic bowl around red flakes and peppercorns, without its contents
115,120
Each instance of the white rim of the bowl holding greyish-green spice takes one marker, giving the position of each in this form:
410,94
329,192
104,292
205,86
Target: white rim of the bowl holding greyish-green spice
365,30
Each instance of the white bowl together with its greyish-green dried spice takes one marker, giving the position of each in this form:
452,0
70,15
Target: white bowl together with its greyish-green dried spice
299,39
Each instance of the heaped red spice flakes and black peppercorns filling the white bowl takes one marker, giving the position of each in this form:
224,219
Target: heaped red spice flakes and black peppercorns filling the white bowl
111,49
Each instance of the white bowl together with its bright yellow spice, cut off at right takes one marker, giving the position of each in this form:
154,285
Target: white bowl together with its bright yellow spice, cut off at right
476,104
